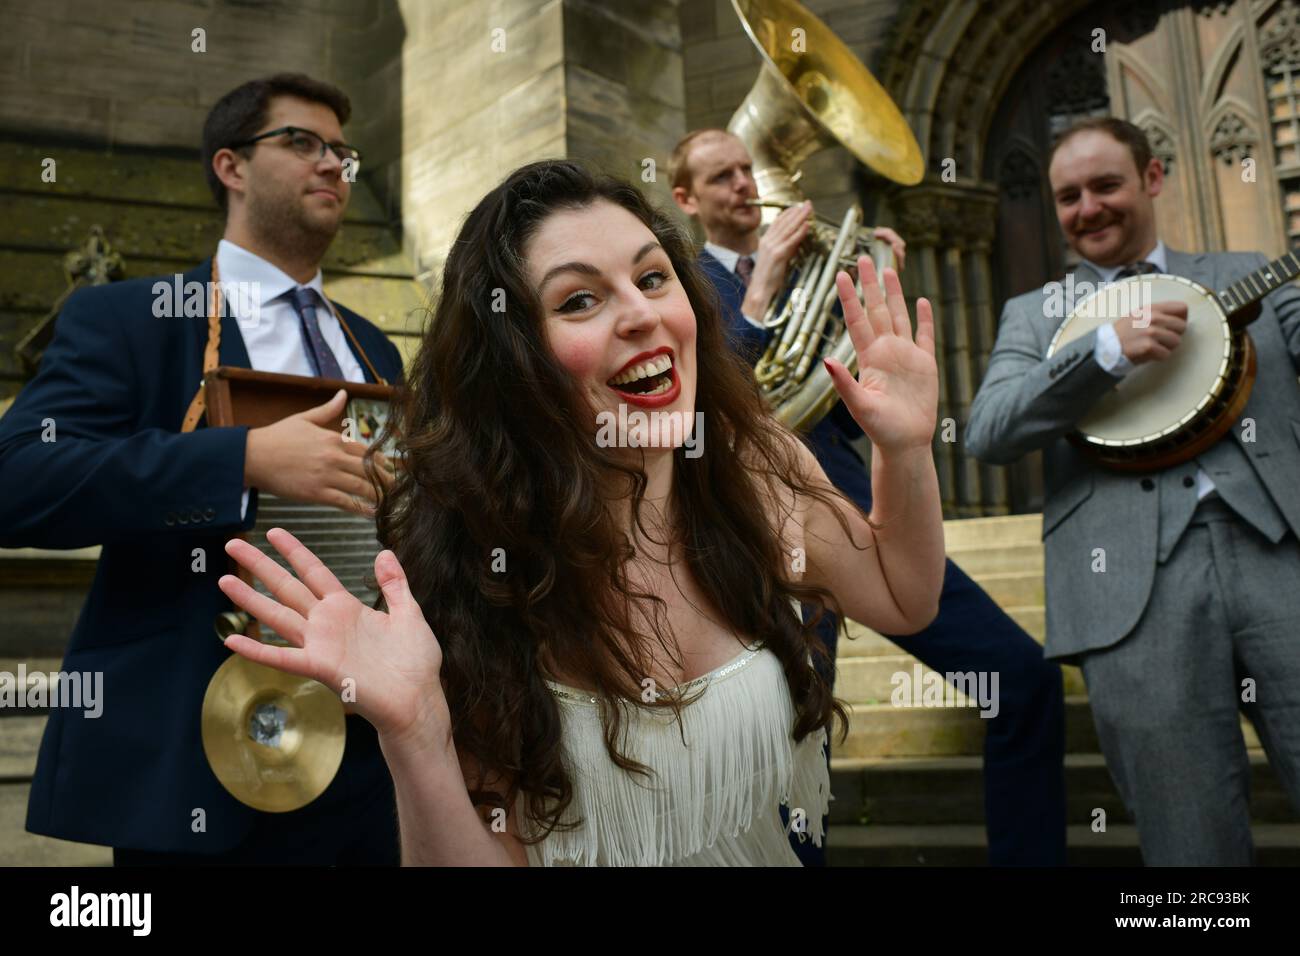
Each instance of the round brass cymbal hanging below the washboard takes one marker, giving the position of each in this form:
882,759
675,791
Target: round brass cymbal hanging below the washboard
274,741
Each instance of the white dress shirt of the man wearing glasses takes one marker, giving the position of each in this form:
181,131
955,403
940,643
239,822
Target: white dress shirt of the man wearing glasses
274,335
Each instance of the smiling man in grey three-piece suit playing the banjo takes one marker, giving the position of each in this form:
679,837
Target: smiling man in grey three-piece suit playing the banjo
1197,613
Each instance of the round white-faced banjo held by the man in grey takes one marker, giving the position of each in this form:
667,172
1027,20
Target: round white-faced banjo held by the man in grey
1167,413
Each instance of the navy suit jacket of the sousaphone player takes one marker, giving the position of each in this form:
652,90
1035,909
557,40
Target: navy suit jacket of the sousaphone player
831,436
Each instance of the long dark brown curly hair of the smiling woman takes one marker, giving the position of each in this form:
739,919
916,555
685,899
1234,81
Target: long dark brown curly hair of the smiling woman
502,469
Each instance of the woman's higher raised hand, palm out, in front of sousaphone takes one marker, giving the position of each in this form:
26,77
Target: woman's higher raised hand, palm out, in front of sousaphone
895,397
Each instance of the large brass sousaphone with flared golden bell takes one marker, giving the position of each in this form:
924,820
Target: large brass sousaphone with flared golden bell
813,94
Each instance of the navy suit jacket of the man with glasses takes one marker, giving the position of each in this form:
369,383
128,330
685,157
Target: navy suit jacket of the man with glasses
112,391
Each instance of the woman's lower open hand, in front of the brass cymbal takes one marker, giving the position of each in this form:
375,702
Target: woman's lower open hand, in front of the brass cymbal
392,660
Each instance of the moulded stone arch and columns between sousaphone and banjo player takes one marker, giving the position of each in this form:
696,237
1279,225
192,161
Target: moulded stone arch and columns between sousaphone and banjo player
950,66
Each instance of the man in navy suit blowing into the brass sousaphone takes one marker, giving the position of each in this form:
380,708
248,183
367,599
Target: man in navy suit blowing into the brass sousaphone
1025,745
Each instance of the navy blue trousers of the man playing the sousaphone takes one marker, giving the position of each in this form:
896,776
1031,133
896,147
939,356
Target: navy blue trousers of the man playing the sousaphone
1025,746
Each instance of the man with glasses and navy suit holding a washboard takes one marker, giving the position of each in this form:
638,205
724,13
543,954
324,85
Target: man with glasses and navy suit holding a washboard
93,453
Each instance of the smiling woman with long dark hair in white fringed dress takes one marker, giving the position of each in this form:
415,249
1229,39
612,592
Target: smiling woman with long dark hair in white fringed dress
596,651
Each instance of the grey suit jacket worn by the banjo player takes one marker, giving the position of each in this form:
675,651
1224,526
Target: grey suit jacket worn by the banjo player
1029,403
